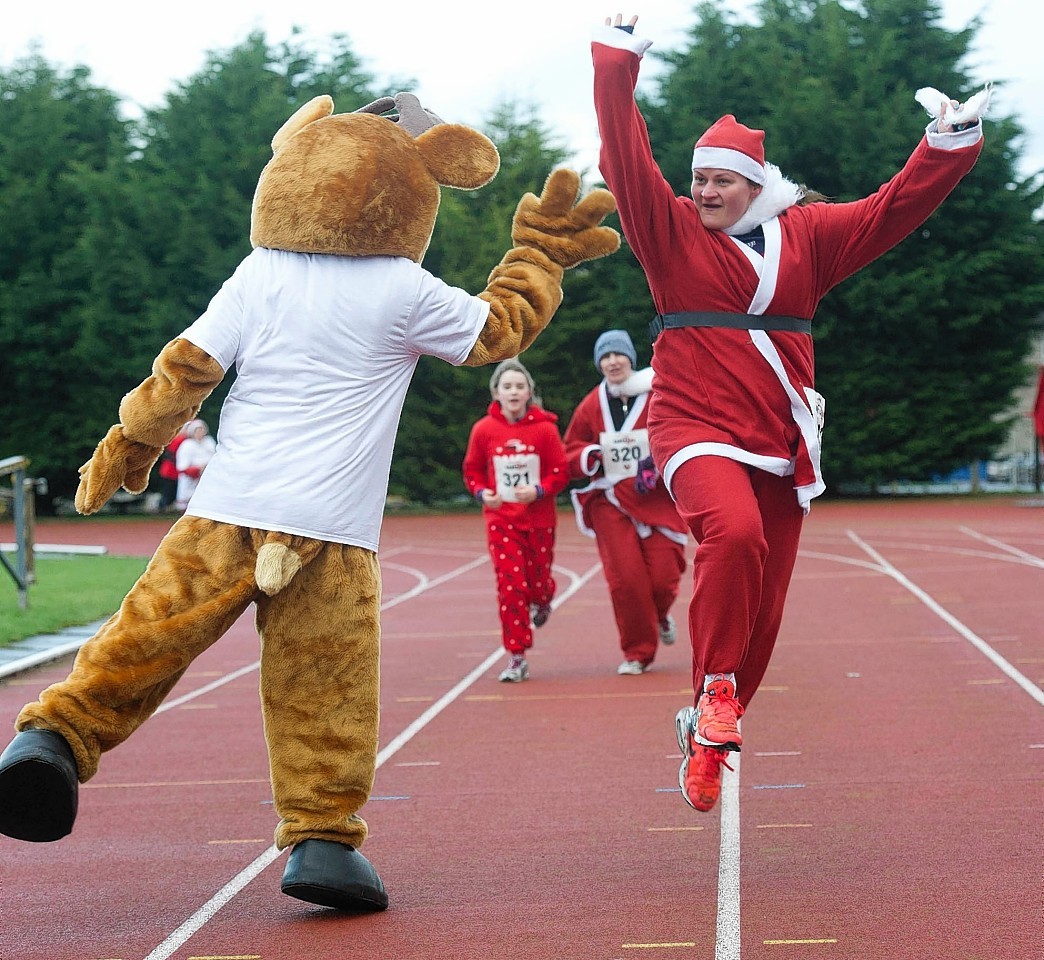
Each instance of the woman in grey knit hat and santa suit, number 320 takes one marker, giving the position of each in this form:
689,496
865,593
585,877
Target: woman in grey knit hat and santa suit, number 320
642,539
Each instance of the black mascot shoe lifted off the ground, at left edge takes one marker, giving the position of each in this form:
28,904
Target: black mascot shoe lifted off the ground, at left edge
38,787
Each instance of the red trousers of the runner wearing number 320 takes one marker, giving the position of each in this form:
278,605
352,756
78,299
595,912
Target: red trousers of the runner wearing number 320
643,575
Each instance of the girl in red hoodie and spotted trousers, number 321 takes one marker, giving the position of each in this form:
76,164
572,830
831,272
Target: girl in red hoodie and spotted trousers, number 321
516,466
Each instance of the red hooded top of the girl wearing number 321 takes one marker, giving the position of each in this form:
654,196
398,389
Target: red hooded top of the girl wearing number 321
535,434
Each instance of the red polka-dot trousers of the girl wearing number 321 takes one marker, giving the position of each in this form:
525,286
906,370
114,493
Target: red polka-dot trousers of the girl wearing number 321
523,559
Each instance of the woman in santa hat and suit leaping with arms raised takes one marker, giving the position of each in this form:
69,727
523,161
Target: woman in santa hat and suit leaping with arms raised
737,272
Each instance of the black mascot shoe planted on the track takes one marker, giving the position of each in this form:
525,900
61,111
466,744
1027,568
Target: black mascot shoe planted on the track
334,875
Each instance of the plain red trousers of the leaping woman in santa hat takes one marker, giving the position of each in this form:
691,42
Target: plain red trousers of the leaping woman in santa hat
747,524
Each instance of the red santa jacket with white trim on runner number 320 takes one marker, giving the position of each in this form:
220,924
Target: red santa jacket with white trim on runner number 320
584,453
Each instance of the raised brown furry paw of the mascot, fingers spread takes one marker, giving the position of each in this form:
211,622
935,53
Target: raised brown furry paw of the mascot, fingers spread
564,231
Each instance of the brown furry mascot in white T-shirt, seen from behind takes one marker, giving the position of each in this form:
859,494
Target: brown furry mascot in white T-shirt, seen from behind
325,322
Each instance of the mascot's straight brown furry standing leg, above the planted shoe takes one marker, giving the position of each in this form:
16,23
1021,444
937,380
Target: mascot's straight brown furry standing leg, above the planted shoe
320,693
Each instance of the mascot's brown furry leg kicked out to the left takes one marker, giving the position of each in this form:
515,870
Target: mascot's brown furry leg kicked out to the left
196,587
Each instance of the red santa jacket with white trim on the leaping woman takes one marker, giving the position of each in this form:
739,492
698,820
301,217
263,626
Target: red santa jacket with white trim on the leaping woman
744,394
